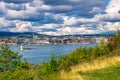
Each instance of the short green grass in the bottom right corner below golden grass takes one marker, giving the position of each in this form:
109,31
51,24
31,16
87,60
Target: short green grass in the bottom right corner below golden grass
111,73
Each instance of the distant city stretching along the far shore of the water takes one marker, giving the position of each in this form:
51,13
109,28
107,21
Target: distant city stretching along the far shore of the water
35,39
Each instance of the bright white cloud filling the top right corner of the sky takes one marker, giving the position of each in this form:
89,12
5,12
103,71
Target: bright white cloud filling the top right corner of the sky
112,12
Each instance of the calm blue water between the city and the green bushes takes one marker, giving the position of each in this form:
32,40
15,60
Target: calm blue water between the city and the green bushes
43,53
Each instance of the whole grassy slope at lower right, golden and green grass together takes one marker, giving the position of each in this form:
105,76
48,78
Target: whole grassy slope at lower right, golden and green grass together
104,68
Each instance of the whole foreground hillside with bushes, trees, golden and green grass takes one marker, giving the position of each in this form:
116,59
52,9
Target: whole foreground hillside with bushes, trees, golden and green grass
101,62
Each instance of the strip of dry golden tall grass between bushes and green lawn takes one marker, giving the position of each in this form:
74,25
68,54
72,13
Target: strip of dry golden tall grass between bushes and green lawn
77,71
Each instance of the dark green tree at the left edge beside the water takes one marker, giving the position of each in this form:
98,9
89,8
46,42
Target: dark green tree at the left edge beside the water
9,60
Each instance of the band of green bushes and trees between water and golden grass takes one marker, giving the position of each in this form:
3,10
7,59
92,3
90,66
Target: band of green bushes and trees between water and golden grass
11,67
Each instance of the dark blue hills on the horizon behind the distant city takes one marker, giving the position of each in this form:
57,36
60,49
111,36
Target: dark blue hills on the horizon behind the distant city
30,34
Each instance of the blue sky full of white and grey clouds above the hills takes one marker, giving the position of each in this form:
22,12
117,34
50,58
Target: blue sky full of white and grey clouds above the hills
60,17
